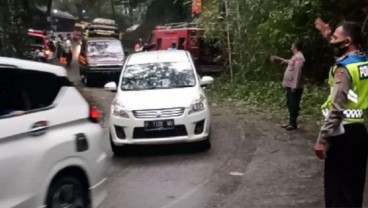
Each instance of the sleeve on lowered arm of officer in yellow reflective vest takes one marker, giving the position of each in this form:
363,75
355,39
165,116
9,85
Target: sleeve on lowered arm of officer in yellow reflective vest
341,87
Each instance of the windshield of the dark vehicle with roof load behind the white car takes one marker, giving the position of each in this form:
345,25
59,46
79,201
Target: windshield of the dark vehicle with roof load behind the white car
104,48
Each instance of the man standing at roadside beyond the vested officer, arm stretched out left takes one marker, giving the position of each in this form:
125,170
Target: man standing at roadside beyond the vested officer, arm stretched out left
293,83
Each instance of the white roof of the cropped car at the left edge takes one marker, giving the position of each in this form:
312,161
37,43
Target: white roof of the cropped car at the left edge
32,65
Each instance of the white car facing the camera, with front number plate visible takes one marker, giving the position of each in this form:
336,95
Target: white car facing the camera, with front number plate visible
159,100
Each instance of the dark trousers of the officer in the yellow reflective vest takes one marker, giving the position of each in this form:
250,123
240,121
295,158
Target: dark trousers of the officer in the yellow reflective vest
345,167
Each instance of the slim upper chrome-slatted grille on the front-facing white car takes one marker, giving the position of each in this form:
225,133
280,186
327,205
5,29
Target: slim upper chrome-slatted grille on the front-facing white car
159,113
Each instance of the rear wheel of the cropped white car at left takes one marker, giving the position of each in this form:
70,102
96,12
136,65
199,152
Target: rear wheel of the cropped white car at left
67,192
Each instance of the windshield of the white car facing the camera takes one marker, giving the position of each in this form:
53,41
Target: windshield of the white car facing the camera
166,75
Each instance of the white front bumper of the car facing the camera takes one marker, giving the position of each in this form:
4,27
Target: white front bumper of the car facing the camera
187,124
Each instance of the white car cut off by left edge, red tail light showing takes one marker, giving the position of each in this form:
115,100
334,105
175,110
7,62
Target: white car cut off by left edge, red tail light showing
51,152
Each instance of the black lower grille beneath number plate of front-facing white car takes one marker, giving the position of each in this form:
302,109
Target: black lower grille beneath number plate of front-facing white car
140,133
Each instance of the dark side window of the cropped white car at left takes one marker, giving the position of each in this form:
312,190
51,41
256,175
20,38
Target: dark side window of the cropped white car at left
25,91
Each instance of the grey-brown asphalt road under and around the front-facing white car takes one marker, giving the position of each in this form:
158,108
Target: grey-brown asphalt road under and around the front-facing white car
252,163
